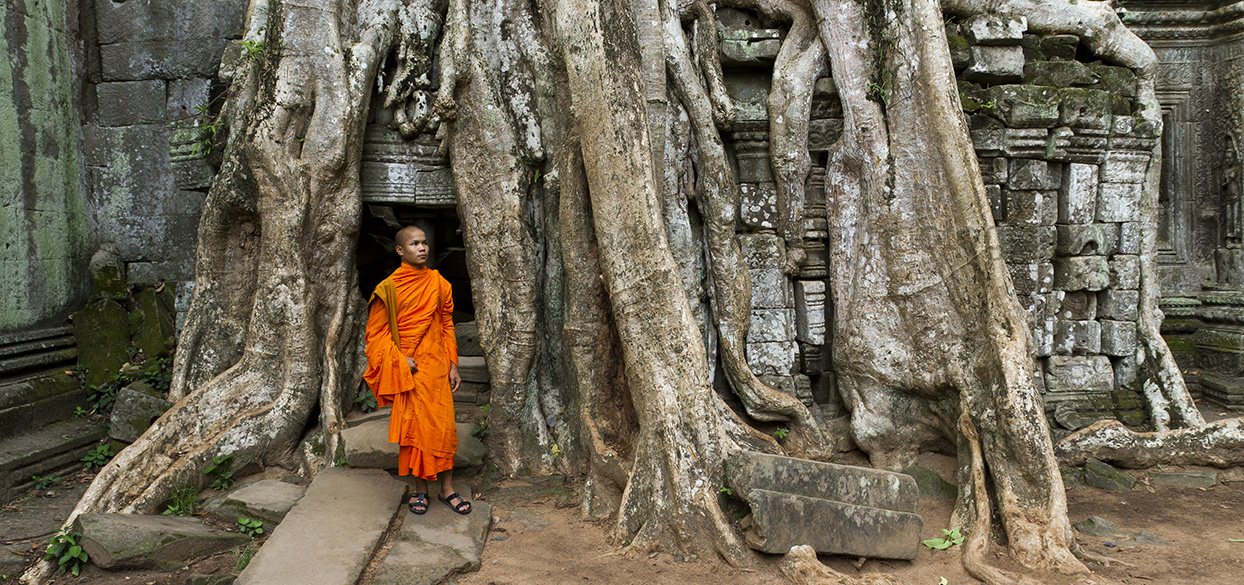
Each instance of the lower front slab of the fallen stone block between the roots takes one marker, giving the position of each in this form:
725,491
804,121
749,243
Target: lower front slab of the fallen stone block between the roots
783,521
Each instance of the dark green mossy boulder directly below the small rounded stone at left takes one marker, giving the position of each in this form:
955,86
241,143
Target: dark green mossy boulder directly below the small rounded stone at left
103,333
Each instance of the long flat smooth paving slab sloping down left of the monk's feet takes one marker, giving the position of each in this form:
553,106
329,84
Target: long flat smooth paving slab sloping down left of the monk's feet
330,536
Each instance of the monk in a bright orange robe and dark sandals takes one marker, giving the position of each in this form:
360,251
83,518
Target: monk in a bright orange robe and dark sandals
412,364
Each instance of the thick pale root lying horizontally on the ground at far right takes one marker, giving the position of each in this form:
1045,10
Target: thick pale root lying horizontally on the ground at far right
1218,444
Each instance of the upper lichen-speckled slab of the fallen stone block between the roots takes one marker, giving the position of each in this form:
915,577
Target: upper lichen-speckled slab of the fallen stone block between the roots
850,485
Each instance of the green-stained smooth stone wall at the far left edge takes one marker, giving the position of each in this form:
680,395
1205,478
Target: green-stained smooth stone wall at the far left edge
44,228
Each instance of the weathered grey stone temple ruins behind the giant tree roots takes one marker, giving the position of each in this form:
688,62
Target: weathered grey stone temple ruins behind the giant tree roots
106,155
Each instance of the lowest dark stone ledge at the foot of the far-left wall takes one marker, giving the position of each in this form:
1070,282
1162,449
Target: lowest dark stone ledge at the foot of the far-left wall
49,451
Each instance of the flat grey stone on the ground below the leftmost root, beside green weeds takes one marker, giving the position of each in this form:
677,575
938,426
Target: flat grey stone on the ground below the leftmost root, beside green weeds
150,542
